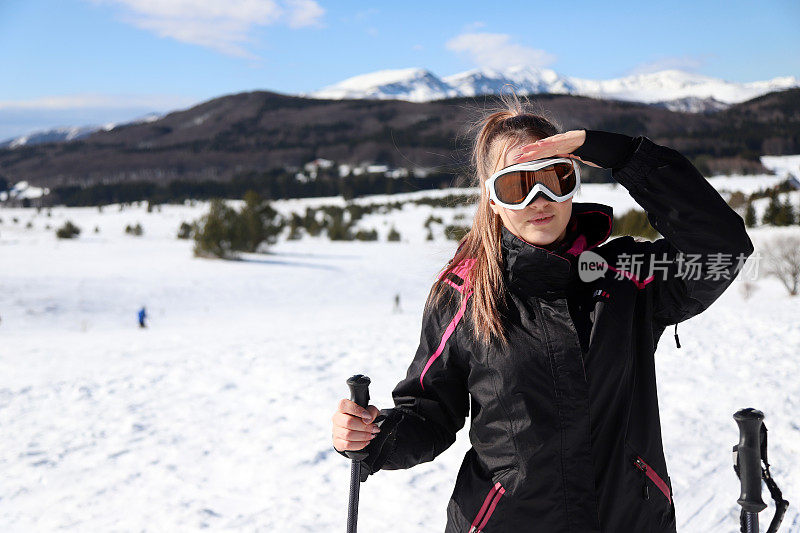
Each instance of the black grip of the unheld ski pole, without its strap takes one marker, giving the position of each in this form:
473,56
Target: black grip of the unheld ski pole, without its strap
748,456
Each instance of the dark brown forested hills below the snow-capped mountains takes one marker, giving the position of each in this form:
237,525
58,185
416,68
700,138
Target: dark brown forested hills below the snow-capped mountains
255,132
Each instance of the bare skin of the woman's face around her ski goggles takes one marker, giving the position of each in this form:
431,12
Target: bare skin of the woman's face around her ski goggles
541,222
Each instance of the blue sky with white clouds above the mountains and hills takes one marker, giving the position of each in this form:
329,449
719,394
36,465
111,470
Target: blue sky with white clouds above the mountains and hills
72,62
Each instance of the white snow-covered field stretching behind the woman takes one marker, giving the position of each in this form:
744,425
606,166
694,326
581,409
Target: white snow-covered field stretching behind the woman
218,415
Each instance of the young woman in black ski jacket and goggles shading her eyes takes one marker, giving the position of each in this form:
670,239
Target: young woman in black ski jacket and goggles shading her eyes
550,352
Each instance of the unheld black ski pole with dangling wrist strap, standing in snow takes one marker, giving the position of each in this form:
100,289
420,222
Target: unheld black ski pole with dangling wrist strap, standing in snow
747,458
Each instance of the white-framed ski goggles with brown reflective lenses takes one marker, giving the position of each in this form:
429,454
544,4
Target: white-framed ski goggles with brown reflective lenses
516,186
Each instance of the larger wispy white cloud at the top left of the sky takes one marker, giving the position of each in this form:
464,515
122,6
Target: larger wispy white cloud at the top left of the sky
224,26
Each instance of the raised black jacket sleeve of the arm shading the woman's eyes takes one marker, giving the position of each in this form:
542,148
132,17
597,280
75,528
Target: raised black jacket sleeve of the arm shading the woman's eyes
704,244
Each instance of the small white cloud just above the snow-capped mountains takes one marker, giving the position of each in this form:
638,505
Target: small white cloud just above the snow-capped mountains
495,50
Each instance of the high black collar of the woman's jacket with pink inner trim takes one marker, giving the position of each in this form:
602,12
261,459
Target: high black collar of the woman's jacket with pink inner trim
547,271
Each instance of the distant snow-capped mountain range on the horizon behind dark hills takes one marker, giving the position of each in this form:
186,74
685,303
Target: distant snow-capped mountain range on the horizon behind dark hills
674,89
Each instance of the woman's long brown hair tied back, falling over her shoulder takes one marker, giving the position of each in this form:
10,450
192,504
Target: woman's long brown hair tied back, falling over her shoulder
495,131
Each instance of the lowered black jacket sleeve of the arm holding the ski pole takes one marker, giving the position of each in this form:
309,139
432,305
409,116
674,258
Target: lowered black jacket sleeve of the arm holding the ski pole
431,402
